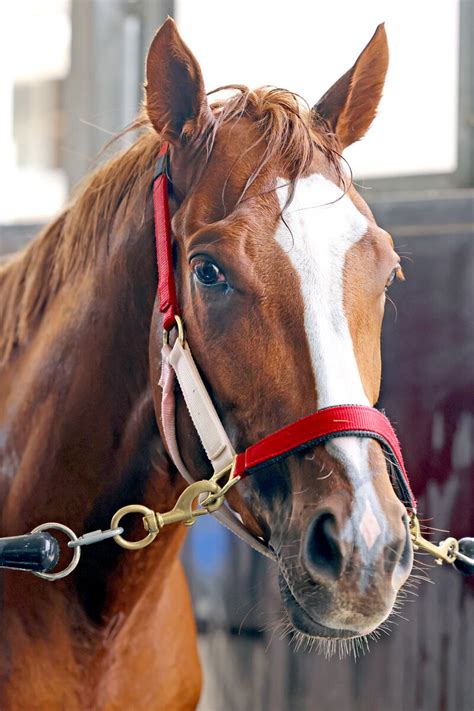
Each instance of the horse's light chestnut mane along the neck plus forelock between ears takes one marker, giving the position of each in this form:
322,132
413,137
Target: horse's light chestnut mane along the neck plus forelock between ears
287,129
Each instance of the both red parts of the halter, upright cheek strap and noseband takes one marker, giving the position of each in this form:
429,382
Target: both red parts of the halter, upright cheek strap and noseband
323,425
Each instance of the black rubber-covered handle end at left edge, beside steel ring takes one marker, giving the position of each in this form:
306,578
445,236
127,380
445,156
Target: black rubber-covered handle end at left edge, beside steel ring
38,552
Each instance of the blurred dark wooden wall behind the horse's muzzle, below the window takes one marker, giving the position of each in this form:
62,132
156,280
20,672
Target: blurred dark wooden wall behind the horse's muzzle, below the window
427,664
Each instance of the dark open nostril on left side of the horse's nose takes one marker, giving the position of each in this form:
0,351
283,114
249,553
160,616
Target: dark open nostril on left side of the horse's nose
322,552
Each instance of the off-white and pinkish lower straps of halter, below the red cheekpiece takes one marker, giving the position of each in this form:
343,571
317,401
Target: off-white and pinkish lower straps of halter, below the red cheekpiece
224,515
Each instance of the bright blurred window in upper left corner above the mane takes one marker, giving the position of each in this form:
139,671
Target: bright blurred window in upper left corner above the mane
34,61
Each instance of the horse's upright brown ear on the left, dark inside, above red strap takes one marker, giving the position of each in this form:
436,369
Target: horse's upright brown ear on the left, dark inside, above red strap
176,101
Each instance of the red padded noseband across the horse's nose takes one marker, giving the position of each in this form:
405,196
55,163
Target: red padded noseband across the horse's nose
321,426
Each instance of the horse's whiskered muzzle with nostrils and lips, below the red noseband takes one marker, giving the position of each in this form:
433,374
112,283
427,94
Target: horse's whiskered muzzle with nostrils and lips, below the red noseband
340,577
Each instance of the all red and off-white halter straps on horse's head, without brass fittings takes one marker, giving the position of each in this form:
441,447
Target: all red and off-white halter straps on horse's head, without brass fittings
178,363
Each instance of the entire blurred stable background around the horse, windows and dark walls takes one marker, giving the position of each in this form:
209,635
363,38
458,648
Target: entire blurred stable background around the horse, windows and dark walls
71,74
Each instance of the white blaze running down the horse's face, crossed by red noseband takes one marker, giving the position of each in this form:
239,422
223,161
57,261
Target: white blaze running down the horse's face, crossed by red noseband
324,225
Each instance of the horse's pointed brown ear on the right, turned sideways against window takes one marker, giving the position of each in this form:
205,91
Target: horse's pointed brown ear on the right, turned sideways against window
351,103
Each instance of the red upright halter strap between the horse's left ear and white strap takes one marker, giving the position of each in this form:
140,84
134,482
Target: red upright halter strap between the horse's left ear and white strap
166,284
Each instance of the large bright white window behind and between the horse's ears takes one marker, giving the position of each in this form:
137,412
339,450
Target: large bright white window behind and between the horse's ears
306,46
